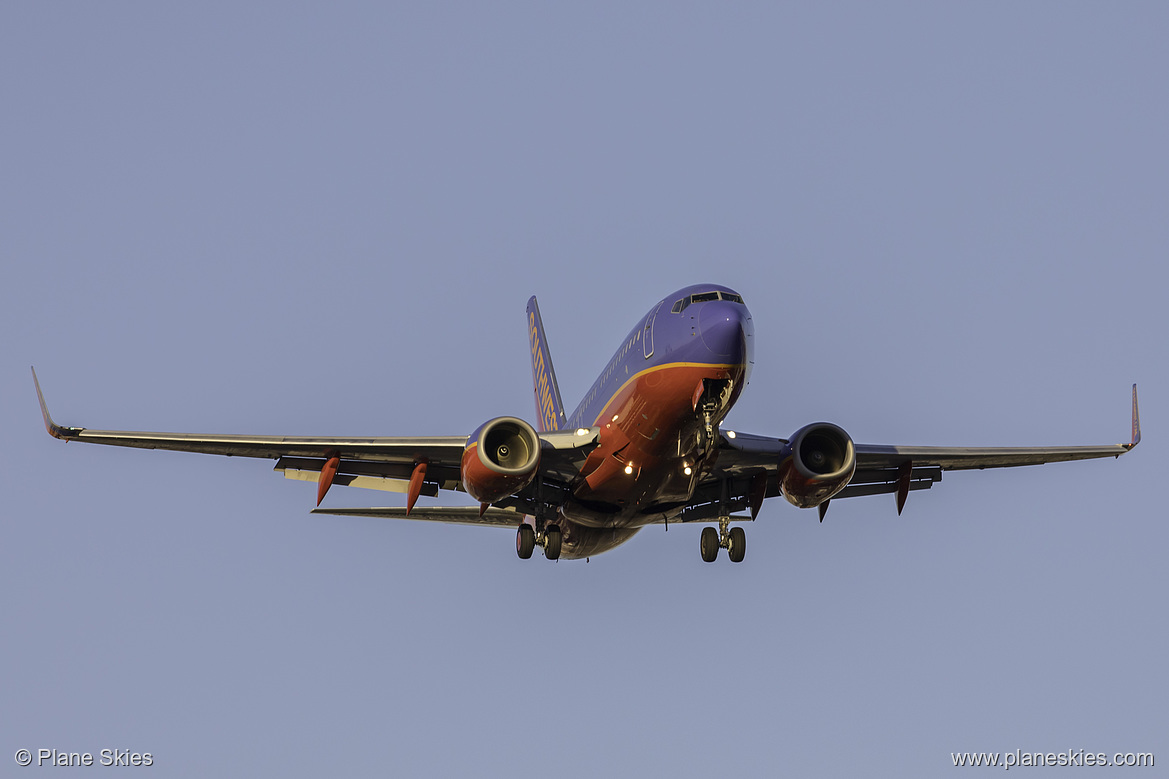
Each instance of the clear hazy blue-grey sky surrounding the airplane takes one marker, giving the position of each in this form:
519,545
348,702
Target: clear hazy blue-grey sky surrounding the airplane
950,223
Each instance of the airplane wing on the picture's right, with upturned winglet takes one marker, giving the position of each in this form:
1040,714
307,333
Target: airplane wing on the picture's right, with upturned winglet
881,468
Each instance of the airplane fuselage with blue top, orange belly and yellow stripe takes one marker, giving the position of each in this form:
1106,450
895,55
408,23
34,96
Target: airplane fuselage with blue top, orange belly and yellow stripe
659,404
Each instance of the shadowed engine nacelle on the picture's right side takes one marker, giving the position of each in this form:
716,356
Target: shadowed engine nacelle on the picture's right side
818,464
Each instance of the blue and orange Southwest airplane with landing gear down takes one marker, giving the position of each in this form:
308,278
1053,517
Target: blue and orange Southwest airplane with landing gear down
645,447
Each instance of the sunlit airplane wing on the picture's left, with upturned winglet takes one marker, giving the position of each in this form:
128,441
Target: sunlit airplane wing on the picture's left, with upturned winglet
379,463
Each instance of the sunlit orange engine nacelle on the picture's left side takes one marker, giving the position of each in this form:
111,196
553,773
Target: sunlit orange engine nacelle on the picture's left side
501,459
